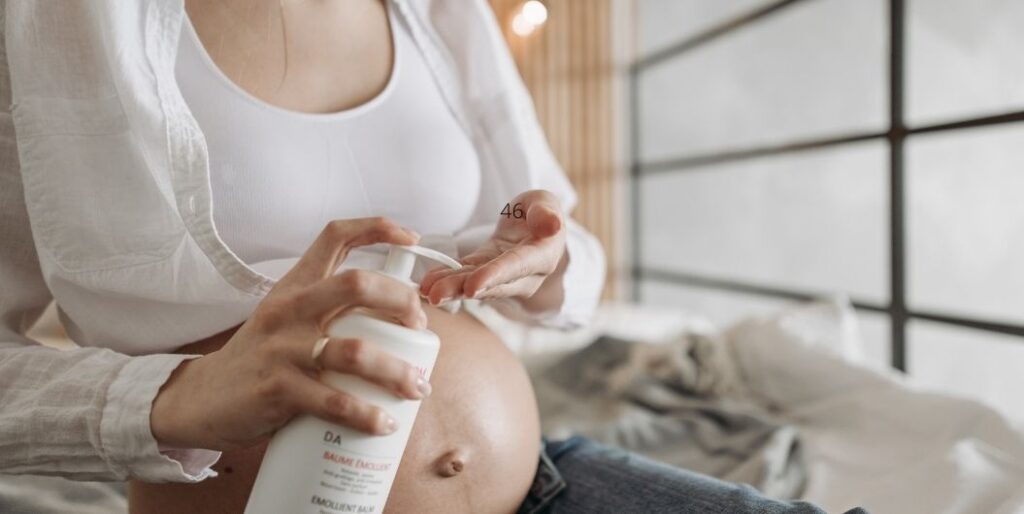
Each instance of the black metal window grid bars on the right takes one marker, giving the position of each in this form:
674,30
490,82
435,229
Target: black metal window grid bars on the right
898,310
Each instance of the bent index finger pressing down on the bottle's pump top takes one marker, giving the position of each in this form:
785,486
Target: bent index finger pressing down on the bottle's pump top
331,247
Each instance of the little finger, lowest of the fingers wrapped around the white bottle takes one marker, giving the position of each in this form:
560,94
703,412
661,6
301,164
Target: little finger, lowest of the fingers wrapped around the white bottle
312,397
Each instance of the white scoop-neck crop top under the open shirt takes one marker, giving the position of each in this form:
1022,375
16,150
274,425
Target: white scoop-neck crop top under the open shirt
278,177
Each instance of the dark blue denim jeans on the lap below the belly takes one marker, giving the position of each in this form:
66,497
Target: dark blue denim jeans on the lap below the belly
580,477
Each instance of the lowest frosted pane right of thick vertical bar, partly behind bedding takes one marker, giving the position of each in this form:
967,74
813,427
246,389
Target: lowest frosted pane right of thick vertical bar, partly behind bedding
969,363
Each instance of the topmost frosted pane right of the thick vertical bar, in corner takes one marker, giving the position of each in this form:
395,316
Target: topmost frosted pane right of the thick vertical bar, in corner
964,59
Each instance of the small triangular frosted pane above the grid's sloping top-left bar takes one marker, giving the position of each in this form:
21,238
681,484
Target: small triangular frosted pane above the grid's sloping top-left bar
663,23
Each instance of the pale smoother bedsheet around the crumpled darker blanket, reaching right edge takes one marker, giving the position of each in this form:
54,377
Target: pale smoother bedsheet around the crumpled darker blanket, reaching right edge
872,440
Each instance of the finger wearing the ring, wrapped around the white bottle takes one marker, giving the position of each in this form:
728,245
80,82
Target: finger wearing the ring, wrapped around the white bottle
356,357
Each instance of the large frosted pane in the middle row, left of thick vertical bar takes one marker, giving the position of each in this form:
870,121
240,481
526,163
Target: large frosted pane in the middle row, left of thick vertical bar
813,221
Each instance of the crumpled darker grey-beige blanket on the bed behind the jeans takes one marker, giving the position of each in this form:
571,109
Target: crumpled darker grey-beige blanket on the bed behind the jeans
681,403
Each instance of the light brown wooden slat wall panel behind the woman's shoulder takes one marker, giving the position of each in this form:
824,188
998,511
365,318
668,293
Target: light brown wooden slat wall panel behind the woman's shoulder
568,67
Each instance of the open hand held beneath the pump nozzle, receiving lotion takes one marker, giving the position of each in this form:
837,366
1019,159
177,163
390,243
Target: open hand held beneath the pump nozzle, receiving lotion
515,263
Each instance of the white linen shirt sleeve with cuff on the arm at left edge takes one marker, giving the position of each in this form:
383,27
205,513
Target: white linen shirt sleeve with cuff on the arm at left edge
82,414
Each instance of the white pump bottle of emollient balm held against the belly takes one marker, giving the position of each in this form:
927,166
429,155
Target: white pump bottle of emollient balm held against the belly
316,467
